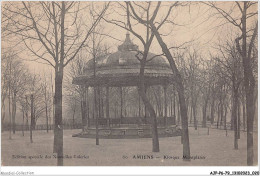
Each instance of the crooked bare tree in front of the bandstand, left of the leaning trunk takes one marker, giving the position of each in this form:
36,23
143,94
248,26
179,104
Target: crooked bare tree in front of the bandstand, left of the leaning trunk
142,56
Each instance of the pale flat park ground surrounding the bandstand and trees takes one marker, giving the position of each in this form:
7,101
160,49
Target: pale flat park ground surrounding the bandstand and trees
215,149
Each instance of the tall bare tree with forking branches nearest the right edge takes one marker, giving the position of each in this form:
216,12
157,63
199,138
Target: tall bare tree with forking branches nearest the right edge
243,16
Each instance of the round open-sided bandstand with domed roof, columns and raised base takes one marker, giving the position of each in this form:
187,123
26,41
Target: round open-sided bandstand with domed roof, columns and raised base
121,69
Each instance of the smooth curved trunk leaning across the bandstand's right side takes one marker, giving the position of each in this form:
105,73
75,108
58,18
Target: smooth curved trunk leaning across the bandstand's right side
180,89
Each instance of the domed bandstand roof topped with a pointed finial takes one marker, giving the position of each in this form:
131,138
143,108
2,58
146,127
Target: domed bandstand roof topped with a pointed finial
122,69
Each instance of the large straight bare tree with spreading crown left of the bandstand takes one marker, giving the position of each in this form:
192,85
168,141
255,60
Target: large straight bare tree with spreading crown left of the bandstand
54,34
